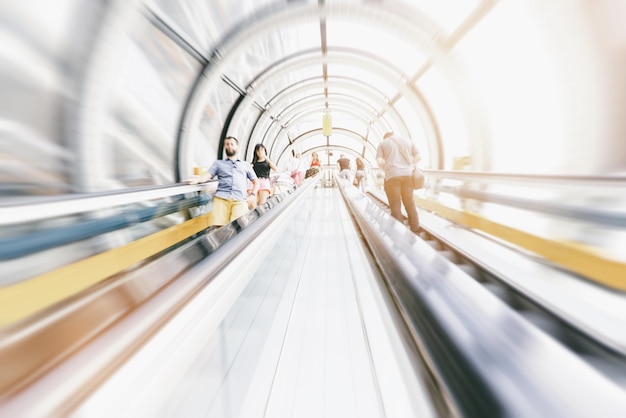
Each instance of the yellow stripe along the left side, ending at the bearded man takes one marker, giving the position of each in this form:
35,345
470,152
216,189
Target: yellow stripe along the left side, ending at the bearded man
23,299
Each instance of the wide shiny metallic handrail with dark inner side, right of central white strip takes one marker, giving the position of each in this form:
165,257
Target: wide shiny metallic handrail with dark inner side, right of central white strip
489,360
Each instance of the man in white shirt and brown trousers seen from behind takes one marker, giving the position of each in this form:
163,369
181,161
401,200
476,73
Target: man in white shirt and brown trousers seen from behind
392,156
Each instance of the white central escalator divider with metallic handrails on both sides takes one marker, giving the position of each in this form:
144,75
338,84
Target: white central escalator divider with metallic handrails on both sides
309,308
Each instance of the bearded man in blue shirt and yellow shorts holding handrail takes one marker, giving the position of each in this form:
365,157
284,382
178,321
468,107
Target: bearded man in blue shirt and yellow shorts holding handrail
231,199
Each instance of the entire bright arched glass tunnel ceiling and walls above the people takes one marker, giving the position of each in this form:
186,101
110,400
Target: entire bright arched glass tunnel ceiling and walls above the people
107,95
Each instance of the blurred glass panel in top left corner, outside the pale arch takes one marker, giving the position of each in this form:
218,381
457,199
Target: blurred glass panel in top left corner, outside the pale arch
42,50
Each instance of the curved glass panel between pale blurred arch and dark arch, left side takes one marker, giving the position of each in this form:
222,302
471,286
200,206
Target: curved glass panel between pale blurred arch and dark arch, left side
153,85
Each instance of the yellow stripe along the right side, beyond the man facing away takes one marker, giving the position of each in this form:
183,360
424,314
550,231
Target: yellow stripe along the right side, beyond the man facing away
576,257
